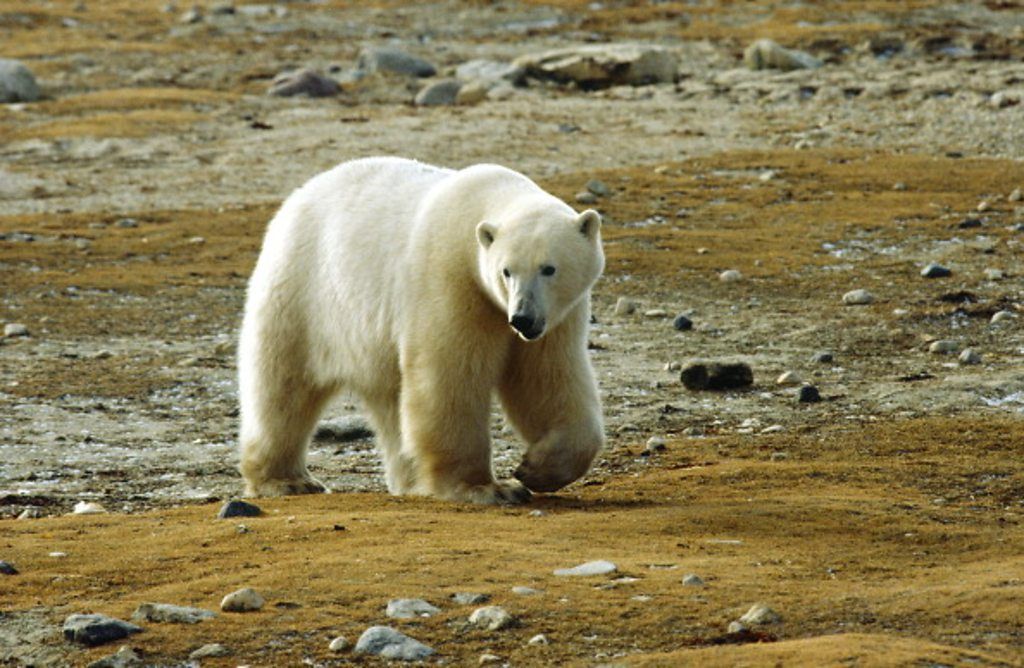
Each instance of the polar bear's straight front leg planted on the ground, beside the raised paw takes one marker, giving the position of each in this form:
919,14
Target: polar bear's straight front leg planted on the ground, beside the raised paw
446,431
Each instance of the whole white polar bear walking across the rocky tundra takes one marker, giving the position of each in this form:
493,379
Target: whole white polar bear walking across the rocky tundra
423,290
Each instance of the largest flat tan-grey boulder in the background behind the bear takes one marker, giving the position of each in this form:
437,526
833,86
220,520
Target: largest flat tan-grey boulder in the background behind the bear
602,66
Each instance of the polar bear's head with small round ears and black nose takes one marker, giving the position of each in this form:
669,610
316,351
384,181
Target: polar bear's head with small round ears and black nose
538,262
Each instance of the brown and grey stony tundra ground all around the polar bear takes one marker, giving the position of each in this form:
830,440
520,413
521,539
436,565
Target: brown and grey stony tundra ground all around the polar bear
882,524
